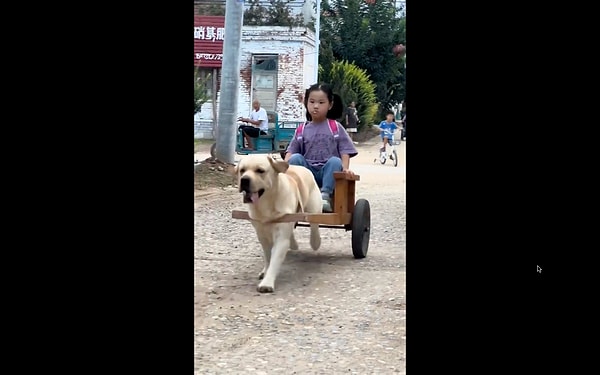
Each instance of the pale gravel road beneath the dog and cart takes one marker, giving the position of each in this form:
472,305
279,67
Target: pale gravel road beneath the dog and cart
330,313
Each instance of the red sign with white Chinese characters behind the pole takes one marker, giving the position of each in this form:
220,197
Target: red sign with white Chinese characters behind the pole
209,33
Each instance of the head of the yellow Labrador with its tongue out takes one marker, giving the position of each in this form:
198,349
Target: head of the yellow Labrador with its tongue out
257,174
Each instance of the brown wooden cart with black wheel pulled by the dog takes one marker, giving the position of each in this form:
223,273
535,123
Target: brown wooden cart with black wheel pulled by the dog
347,214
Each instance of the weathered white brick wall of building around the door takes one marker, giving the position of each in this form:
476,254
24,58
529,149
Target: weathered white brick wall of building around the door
296,50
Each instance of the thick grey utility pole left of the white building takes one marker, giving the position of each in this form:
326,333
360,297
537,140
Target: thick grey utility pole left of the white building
230,81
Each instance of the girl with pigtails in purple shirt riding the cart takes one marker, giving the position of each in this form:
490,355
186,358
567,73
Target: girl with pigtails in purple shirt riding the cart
320,149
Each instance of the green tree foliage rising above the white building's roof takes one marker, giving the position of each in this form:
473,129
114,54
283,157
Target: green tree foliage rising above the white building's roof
278,14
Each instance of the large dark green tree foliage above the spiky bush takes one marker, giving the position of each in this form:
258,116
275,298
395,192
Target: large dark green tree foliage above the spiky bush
365,34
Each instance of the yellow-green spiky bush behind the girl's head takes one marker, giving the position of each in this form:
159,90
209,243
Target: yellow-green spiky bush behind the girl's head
353,84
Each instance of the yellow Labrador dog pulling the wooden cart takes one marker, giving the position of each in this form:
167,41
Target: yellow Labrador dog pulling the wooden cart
273,189
